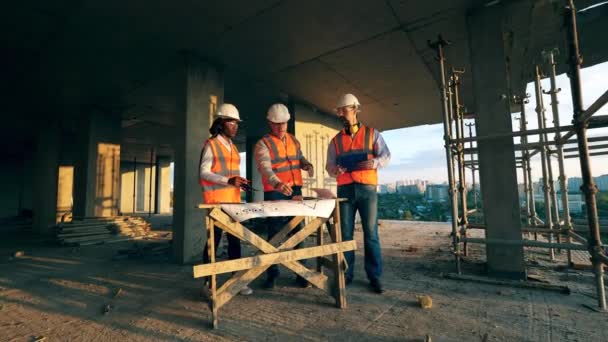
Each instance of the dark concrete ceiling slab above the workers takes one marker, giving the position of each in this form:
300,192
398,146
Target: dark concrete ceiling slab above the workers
123,54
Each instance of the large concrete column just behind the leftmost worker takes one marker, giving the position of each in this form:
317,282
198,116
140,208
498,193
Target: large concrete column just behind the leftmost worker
203,91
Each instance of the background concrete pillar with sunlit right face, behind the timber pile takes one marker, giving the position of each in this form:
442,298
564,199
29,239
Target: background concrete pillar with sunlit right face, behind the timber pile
97,167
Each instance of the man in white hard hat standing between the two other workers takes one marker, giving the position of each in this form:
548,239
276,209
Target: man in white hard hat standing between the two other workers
280,161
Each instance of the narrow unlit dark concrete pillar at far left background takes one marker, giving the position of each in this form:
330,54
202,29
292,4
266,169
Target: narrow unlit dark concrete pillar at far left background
46,166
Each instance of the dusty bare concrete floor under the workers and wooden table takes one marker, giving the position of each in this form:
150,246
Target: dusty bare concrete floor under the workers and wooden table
61,293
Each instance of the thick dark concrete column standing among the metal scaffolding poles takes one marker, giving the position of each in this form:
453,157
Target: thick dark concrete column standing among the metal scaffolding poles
496,156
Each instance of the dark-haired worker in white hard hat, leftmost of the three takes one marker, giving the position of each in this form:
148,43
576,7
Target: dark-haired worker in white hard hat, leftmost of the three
220,173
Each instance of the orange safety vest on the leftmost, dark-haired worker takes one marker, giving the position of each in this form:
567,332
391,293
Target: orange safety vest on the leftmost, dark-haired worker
225,163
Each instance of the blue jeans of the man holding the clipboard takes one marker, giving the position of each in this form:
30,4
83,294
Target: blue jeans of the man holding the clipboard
364,198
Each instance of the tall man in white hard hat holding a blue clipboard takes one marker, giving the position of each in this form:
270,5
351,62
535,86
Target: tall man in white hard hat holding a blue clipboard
353,157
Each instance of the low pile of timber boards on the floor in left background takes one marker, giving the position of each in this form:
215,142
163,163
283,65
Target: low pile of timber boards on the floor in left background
101,230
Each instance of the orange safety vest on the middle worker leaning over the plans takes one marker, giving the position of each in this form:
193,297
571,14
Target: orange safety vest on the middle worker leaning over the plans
284,159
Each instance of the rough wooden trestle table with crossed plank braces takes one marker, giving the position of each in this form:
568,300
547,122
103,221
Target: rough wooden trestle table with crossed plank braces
279,250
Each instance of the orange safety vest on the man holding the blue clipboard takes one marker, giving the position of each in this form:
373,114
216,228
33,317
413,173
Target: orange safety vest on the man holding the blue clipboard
362,143
